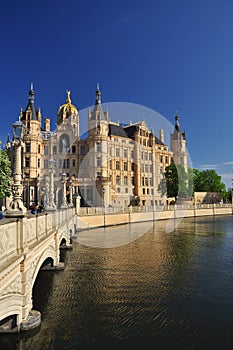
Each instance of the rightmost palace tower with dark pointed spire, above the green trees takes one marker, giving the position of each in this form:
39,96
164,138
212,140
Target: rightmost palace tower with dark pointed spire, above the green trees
178,145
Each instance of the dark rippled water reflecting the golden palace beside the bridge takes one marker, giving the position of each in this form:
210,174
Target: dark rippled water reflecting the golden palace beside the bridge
160,291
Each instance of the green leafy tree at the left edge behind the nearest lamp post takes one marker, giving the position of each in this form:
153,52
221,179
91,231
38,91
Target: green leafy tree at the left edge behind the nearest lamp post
5,174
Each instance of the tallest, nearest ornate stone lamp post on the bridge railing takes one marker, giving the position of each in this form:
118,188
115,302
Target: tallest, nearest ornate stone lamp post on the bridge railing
16,207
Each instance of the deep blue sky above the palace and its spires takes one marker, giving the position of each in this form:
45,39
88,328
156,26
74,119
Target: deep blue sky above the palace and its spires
165,55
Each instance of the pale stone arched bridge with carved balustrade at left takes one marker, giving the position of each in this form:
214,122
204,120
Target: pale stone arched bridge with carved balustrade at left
26,245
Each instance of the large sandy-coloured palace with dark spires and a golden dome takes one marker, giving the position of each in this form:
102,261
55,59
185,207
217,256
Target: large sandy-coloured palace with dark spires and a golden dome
114,164
